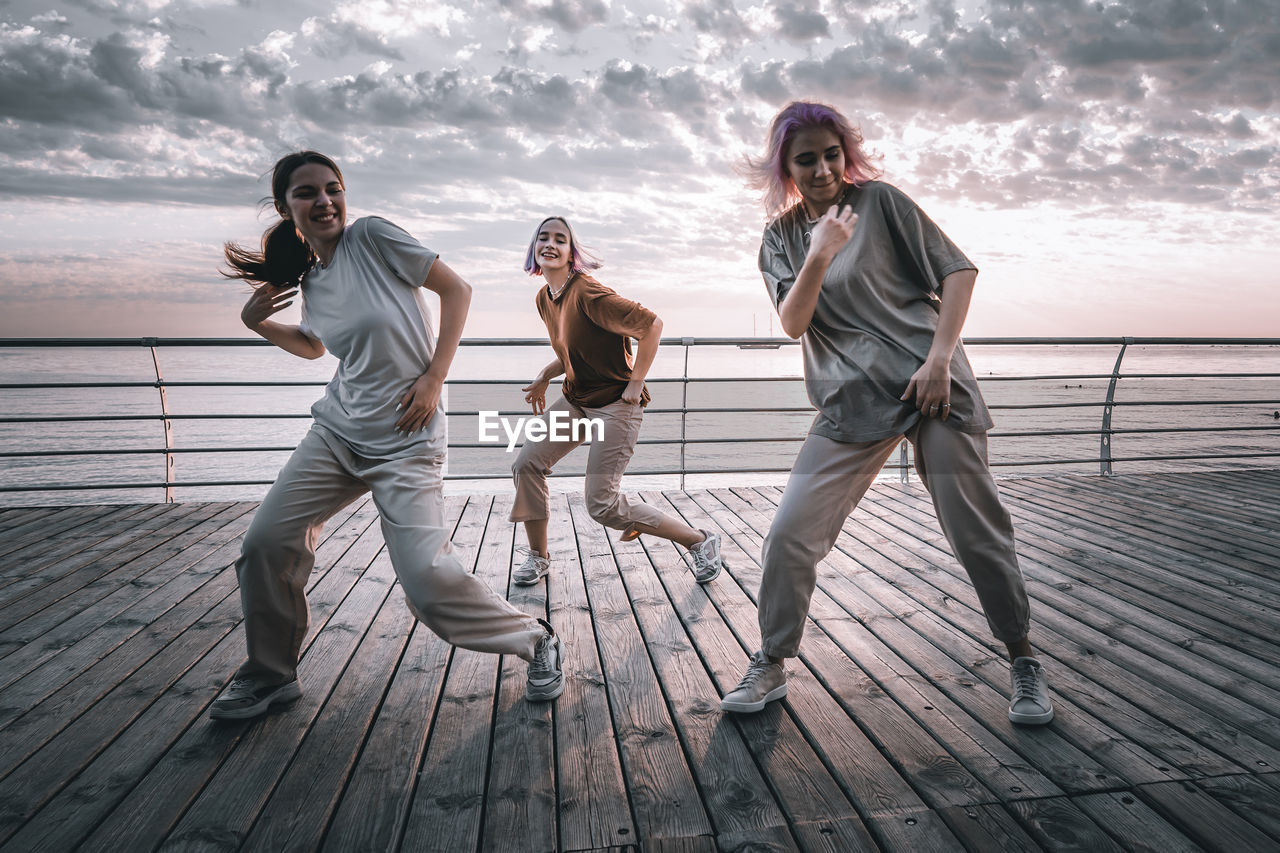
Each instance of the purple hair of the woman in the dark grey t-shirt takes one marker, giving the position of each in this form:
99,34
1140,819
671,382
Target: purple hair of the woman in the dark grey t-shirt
770,174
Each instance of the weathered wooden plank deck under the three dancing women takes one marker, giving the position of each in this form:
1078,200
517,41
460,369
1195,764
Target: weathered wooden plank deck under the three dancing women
1156,604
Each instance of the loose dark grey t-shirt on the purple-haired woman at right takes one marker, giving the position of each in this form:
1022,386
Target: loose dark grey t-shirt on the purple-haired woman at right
876,316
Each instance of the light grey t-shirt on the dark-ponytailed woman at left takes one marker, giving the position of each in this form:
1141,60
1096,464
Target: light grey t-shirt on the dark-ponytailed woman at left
369,311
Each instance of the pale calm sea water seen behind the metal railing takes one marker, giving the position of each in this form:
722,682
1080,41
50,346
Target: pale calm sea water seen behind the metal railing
733,448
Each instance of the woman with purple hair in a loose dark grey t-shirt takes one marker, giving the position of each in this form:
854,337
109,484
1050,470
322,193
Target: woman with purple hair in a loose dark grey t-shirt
879,295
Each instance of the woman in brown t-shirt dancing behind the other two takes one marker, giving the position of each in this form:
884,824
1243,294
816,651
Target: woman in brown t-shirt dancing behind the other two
591,330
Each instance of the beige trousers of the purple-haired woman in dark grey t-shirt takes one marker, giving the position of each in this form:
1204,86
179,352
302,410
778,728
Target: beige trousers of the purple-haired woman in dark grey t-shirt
828,482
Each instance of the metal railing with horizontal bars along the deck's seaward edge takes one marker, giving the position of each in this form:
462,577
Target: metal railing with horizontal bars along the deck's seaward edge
1108,404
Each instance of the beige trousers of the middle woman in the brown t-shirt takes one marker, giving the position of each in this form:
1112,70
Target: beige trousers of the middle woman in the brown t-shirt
606,463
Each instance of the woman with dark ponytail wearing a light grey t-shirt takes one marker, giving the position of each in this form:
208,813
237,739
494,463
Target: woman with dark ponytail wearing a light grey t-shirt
378,428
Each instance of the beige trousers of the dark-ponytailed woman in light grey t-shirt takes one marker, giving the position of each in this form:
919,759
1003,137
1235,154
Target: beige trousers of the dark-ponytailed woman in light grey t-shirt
278,554
